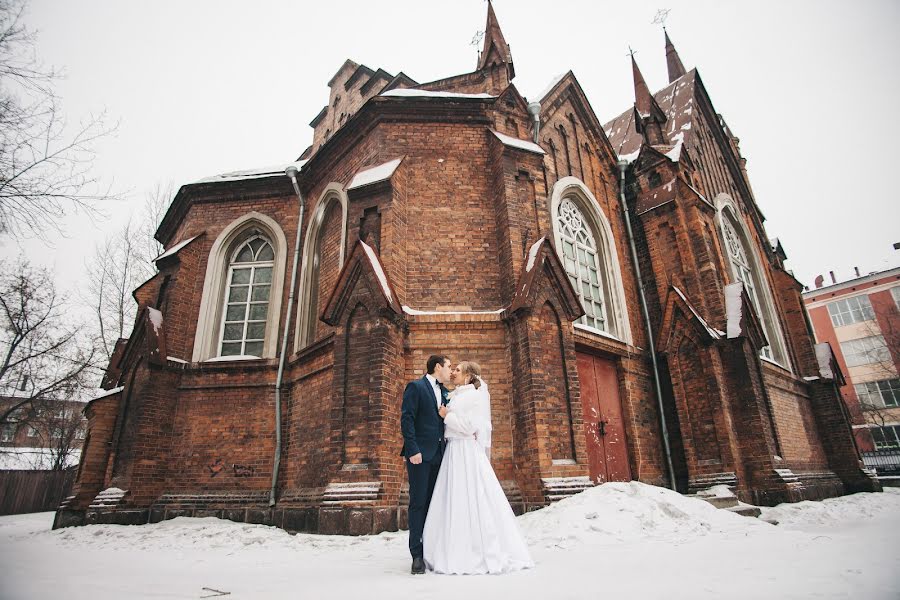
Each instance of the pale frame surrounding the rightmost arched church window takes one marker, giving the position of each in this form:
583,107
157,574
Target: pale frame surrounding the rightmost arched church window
760,292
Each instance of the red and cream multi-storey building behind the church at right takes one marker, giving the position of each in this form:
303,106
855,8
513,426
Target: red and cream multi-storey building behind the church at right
860,318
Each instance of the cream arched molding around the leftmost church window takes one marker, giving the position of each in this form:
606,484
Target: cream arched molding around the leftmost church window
209,317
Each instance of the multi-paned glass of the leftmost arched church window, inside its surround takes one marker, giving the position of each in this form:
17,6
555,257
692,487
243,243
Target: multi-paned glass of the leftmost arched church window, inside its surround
248,289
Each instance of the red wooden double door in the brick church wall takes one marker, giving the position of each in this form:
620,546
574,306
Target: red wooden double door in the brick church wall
604,427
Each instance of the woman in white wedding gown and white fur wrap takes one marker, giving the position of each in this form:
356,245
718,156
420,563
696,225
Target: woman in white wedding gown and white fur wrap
470,527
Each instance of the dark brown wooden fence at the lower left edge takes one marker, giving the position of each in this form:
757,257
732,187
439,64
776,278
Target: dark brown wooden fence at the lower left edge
33,491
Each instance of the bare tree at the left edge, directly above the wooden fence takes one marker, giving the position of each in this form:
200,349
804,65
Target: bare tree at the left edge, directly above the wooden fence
42,355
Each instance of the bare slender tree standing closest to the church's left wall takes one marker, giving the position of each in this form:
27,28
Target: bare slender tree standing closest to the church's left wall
121,264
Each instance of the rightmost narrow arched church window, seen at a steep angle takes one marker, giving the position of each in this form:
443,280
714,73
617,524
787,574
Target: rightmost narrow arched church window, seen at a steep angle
744,268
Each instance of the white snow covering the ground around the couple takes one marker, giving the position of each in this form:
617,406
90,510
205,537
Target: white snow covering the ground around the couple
626,540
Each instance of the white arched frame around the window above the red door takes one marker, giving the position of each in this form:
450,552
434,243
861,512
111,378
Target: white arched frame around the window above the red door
616,313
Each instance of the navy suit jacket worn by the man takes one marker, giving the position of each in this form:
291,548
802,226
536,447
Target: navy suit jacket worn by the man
420,423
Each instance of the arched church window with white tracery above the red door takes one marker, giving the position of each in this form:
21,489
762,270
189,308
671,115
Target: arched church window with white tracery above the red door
585,245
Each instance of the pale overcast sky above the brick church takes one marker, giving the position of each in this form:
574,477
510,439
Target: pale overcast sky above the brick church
204,87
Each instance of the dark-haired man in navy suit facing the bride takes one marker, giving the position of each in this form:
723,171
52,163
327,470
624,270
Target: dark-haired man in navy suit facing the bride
423,446
